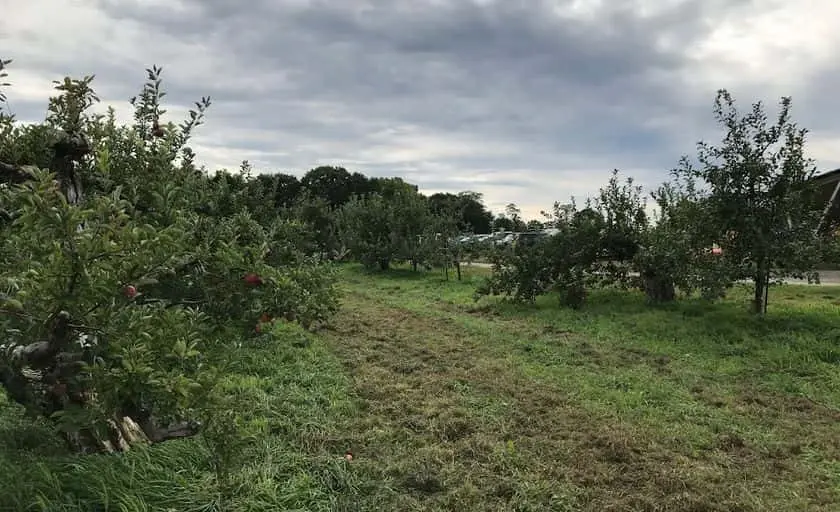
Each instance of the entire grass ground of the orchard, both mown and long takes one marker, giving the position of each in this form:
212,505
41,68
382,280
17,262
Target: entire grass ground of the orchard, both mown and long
448,404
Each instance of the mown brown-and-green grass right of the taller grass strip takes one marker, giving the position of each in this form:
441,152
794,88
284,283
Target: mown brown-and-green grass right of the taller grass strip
618,407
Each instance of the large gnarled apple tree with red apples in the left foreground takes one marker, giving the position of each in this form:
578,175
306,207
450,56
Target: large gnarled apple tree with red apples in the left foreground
121,284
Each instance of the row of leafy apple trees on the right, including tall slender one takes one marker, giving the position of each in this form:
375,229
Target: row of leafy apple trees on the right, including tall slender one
749,211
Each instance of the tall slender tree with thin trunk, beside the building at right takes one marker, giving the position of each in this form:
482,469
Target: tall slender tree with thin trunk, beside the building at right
762,202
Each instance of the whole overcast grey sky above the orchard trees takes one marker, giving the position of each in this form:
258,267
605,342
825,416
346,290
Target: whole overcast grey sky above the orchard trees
526,101
